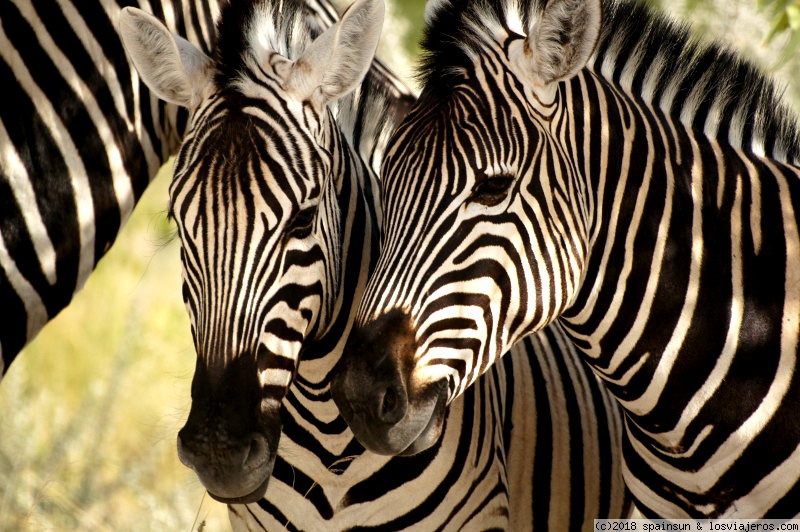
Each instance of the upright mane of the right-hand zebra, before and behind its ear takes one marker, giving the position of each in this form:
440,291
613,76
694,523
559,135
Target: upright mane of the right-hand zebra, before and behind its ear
707,86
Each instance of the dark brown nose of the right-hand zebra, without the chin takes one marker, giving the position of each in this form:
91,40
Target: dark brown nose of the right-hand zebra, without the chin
369,385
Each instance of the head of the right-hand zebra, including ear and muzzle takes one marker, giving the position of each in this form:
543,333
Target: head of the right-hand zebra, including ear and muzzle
470,179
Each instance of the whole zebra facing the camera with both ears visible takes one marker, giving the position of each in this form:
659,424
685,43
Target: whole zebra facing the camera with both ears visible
278,218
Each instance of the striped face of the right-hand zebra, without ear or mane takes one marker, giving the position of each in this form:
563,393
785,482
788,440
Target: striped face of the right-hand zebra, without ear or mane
449,296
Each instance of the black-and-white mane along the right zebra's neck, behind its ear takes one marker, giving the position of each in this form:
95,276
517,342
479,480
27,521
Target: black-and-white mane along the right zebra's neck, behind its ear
709,88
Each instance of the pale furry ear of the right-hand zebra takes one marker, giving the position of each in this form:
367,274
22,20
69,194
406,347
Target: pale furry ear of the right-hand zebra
561,40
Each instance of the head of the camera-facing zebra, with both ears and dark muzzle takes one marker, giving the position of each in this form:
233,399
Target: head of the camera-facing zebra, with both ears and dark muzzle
254,198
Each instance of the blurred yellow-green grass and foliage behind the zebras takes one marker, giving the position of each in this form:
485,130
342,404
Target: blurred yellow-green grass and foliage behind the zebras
90,411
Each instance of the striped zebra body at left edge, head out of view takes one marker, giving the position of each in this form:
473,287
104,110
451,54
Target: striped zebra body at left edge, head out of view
80,143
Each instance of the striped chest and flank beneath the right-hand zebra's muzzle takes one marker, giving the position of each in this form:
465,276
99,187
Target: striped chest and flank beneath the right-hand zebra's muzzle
495,465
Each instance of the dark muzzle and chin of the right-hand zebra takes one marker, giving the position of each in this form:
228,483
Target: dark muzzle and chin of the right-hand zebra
376,393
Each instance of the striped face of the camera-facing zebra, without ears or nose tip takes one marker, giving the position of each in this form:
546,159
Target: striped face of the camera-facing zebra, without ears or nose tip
259,235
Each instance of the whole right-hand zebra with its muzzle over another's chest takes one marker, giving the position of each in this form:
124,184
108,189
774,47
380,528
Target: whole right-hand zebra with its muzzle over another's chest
593,164
